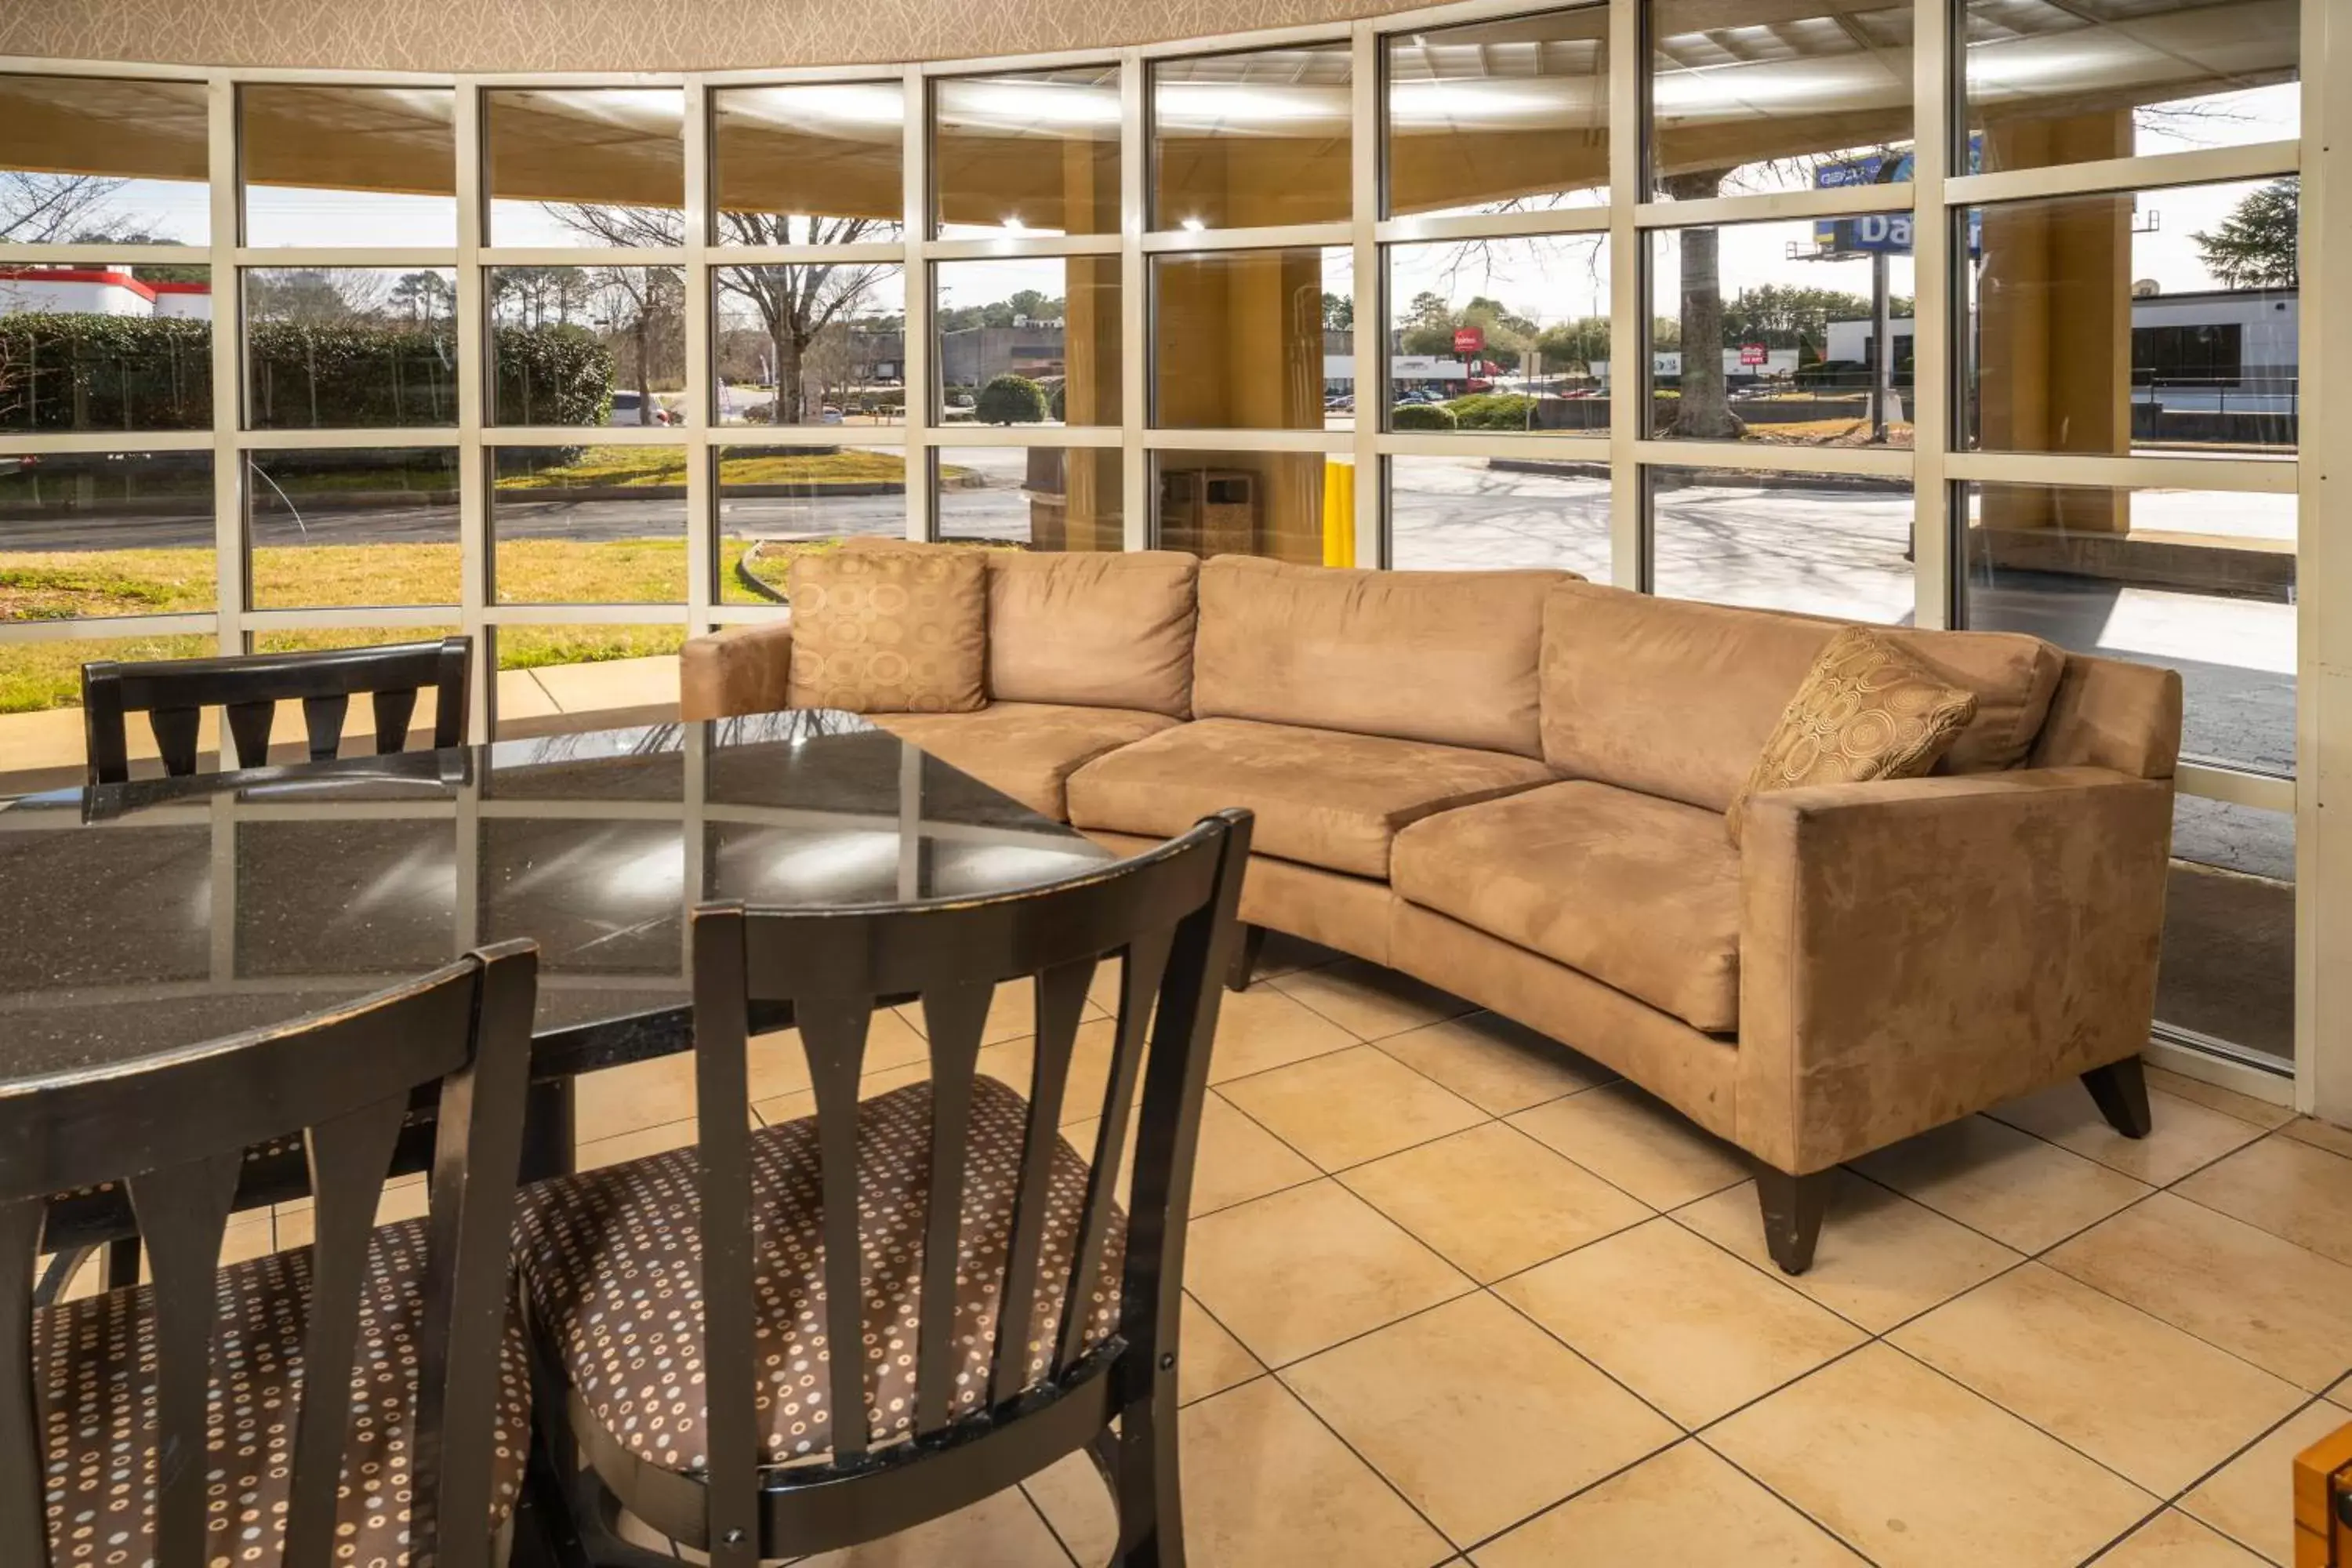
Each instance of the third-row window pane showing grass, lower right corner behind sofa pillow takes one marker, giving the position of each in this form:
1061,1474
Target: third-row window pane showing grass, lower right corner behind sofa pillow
784,502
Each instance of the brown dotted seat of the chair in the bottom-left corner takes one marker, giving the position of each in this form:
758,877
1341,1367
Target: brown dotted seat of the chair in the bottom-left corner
95,1362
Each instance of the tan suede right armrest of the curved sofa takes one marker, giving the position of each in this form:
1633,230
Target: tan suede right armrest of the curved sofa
1927,949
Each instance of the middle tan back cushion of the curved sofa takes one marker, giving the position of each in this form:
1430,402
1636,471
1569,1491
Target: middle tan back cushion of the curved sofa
1443,657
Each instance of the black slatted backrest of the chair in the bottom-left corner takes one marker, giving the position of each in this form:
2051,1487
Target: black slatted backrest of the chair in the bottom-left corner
178,1130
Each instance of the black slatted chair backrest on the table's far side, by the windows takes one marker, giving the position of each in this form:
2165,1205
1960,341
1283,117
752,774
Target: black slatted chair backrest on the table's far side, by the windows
175,692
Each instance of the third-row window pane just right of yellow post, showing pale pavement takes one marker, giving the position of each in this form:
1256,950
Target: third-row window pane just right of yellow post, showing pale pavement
1478,514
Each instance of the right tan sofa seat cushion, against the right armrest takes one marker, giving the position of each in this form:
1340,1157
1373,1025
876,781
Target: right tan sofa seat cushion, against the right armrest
1631,890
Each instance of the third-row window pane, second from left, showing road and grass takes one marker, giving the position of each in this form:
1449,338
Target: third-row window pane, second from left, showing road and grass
354,528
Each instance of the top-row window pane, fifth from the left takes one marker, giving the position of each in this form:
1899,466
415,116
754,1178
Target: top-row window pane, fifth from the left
1031,152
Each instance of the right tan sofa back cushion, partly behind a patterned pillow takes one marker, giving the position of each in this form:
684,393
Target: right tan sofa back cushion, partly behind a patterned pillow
1676,699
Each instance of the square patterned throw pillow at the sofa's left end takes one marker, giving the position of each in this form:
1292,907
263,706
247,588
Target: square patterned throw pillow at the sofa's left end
890,631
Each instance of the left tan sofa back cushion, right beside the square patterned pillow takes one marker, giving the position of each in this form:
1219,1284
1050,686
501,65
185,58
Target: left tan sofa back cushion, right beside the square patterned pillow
1093,631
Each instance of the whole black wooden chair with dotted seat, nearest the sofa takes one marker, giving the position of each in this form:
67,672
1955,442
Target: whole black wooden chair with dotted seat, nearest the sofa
1005,1308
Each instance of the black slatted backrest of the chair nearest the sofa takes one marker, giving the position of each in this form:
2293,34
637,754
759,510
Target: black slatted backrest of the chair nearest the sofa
1168,918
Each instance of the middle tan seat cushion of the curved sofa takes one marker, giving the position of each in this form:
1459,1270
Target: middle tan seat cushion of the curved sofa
1323,798
